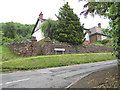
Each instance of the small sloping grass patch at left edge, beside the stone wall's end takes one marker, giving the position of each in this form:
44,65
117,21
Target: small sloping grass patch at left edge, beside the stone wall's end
6,54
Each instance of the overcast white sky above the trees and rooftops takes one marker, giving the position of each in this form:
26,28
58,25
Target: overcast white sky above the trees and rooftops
27,11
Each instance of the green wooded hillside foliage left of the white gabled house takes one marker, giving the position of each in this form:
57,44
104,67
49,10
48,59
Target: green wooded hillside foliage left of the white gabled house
16,32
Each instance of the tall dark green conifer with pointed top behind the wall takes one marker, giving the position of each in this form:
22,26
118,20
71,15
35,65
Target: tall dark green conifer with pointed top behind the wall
69,28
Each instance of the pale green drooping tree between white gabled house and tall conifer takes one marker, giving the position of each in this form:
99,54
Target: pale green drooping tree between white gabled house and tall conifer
48,28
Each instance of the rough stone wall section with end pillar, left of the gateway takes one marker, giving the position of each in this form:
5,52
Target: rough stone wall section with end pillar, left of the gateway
24,48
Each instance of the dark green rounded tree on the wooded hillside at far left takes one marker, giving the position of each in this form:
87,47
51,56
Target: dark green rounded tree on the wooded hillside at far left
9,30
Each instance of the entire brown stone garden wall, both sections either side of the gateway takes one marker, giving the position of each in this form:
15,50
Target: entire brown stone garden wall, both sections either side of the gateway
33,48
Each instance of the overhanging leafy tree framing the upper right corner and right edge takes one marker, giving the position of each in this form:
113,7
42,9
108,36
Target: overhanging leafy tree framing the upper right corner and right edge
109,10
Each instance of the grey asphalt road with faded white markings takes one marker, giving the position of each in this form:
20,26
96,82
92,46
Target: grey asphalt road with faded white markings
59,77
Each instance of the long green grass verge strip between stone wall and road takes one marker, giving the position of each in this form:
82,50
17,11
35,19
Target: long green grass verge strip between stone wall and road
47,61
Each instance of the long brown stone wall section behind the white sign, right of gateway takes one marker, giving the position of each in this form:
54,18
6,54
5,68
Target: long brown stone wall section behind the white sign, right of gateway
48,48
